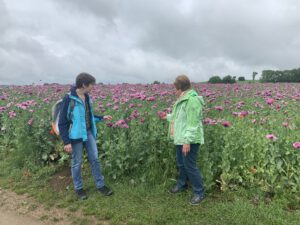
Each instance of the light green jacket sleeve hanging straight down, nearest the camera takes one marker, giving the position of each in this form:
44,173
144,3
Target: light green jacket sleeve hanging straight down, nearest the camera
193,117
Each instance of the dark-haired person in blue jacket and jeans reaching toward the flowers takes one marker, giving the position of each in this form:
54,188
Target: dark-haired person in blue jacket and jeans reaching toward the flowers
77,127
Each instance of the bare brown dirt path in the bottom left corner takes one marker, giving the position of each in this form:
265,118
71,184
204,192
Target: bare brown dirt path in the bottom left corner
23,210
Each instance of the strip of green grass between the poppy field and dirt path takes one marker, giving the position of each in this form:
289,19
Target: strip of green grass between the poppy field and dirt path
141,204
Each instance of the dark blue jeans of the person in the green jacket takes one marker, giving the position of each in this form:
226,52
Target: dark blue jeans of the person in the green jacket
188,169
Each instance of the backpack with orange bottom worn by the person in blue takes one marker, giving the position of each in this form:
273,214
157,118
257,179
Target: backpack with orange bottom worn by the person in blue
55,112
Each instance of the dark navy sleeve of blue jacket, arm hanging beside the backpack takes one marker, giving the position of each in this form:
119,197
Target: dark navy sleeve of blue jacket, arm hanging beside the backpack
64,122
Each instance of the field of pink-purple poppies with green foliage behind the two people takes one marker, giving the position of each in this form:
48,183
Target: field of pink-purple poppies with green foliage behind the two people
252,133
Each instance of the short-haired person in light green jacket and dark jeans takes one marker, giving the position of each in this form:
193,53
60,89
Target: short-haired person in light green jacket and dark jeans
186,130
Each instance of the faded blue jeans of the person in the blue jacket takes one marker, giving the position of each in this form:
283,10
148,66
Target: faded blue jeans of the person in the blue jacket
92,151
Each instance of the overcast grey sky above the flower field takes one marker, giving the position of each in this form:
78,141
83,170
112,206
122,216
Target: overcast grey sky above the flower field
141,41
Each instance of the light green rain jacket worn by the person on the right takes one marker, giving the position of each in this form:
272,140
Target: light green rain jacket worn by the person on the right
186,119
